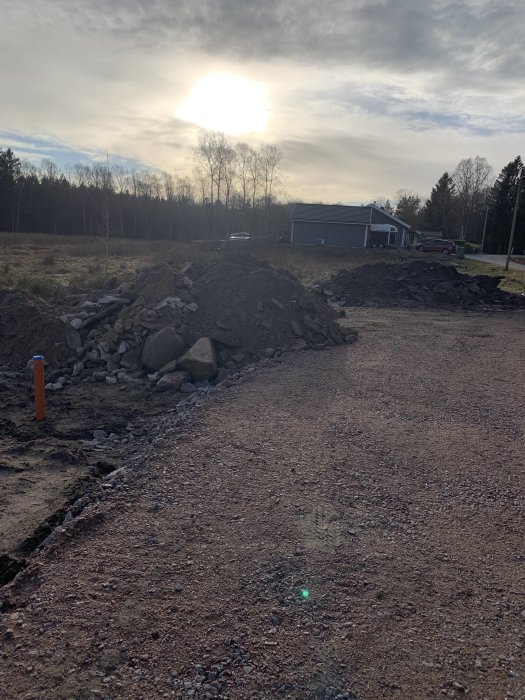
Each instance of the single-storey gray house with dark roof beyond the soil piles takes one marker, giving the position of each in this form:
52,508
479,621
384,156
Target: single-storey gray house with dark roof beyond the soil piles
349,227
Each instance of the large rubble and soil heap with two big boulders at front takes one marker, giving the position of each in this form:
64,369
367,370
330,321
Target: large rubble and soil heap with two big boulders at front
179,329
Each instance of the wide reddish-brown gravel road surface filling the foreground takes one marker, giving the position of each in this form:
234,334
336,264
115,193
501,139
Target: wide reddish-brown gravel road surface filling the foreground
346,524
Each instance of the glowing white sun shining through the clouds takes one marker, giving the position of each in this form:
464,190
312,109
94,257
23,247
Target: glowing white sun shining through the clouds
227,103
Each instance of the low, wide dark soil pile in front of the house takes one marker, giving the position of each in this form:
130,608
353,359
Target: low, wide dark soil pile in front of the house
417,283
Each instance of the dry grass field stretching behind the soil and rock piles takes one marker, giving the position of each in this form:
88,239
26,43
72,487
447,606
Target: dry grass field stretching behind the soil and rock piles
49,265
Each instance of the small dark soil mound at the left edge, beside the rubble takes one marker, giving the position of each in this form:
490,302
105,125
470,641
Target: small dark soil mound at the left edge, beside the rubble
28,326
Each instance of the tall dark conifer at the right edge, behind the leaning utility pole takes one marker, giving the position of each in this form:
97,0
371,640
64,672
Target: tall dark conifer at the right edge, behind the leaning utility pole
502,199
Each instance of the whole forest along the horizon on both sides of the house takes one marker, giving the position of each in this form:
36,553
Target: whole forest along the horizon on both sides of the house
234,187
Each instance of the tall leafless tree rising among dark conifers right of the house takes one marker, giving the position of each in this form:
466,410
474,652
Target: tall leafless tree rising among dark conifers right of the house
473,179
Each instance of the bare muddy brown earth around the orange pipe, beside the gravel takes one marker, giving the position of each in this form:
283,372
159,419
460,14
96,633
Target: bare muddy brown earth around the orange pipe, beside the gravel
46,466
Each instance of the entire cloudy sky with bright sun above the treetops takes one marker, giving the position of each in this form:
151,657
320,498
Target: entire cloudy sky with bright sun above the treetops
362,97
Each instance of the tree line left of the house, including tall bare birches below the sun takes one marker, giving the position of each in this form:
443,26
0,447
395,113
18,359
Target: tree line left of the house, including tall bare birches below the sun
233,188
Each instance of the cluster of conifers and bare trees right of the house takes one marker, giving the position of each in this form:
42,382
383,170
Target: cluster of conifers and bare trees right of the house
465,202
